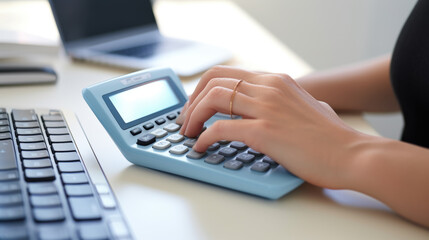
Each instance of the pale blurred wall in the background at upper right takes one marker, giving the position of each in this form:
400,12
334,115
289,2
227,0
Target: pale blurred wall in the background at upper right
328,33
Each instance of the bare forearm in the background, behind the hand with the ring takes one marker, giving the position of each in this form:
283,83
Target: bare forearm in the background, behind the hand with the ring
361,87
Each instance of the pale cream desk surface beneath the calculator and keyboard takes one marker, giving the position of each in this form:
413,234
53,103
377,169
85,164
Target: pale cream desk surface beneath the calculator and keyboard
163,206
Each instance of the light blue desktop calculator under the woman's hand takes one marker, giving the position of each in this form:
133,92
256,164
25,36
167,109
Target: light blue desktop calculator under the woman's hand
138,110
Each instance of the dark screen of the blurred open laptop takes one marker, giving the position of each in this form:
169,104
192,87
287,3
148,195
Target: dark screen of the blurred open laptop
82,19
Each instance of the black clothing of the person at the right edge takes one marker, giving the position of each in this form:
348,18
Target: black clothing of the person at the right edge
410,75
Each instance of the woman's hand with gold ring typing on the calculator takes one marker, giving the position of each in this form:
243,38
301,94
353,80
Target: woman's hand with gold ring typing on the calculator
279,118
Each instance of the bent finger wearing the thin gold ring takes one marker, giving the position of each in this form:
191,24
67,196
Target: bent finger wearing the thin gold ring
217,100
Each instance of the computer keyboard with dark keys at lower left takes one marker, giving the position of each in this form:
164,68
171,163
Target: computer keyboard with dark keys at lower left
46,190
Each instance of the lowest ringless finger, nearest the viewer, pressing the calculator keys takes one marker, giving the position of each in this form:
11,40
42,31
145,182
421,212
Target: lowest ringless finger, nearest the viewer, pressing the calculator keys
237,130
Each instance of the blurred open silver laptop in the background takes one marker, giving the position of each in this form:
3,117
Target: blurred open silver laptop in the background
124,33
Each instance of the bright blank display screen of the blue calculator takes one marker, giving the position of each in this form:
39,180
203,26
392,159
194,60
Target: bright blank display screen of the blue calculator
144,100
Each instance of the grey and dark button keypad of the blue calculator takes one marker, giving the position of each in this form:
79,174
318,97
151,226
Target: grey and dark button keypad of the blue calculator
234,155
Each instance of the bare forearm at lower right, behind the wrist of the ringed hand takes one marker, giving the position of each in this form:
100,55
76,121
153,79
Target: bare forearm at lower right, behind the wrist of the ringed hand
394,172
